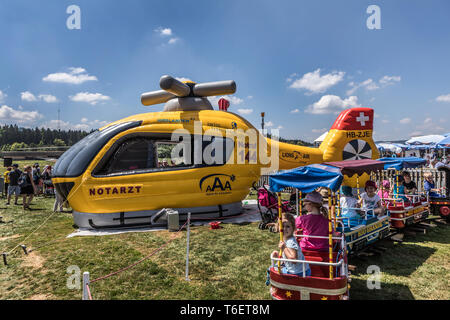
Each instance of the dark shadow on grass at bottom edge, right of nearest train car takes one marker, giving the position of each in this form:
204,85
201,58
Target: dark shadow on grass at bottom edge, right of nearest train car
387,291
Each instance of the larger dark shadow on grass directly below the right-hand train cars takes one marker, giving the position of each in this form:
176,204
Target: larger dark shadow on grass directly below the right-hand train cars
400,260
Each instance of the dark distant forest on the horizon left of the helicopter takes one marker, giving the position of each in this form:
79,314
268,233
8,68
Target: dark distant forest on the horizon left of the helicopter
13,138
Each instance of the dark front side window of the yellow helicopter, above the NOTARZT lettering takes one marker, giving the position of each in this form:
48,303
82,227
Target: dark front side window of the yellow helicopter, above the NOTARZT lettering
132,155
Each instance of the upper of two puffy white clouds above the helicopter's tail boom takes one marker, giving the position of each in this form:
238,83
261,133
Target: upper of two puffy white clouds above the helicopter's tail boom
315,83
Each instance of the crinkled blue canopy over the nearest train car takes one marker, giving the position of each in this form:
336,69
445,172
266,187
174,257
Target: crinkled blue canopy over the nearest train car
307,179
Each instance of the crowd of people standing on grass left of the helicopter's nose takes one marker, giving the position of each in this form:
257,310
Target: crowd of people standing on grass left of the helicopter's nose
29,183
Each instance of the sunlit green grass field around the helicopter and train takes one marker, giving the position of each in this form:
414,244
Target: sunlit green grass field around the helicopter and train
229,263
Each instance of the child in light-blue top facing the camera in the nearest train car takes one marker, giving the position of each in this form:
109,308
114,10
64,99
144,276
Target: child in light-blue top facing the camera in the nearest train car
290,249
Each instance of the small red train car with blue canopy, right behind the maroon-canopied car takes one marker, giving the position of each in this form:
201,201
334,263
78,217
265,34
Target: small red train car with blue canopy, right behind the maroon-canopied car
405,210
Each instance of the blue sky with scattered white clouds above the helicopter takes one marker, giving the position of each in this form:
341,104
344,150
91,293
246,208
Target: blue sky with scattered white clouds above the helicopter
301,62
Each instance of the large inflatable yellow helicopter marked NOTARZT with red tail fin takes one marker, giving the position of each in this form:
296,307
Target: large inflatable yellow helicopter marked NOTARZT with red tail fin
125,173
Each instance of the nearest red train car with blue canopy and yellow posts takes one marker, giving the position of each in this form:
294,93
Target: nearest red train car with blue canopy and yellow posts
329,270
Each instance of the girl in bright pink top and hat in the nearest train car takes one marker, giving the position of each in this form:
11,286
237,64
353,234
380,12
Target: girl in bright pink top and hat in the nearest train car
314,223
